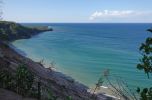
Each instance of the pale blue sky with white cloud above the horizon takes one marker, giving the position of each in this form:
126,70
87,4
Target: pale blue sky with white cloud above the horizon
78,11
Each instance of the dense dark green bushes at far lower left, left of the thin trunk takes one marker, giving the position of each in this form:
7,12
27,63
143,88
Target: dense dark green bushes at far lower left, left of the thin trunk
20,82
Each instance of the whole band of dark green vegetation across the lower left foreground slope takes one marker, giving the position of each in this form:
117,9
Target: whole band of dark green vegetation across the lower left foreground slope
25,83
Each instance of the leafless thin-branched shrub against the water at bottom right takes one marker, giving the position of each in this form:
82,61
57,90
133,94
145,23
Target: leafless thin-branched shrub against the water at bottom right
117,86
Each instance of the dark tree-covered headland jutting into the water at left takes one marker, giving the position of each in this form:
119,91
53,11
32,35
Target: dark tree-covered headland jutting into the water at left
11,31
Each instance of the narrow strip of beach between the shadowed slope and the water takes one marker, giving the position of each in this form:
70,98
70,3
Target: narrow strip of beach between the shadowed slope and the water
103,89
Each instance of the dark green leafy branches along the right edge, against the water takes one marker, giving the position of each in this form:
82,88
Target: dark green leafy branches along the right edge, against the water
146,65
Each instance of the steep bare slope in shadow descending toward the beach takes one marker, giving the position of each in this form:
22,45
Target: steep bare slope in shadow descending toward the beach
57,80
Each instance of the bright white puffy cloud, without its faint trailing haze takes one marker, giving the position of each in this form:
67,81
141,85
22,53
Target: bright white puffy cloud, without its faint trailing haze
107,14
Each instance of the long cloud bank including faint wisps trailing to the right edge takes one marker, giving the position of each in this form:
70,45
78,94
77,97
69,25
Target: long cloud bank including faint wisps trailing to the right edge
119,15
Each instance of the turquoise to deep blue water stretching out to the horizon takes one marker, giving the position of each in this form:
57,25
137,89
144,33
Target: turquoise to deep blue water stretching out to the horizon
83,51
